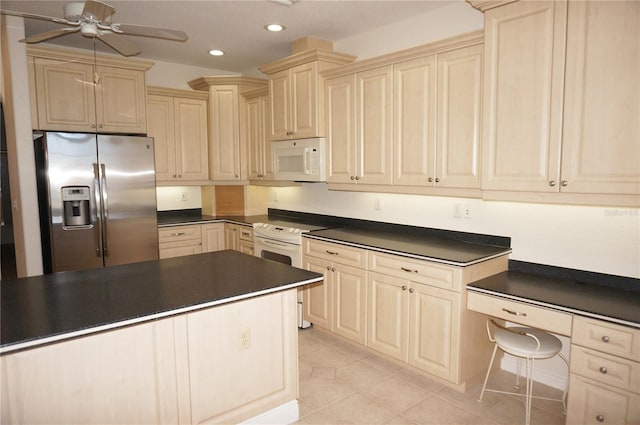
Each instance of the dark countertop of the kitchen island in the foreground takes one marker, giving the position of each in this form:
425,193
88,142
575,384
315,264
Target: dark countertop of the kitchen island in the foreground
43,309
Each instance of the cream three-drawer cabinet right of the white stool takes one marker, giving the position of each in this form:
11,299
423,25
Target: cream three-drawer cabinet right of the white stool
604,382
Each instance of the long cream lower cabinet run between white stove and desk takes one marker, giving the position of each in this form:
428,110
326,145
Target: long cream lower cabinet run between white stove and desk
414,309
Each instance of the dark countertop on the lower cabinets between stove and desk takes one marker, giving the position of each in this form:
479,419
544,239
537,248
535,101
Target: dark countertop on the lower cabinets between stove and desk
421,246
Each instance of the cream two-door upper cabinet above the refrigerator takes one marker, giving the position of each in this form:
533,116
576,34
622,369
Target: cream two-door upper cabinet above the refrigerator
73,94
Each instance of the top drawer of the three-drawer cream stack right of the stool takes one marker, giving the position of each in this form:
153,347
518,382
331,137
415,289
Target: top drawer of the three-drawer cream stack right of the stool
606,337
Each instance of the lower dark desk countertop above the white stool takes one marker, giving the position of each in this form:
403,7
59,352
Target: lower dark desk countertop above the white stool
614,304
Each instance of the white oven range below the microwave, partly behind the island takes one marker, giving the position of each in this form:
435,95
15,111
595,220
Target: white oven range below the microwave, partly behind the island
281,241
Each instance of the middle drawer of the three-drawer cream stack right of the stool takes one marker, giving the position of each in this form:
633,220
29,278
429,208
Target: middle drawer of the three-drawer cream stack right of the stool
605,368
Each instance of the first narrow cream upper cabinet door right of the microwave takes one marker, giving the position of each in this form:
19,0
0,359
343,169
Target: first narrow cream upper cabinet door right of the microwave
341,129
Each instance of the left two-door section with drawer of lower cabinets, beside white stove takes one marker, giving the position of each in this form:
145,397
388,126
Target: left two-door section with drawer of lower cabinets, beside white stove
339,303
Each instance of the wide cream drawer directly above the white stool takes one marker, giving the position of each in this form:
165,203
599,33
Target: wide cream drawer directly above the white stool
526,314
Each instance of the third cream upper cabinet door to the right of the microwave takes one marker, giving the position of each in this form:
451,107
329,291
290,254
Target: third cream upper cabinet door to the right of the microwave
415,117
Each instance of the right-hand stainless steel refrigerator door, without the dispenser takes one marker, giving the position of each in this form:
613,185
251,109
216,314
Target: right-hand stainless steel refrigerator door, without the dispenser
127,175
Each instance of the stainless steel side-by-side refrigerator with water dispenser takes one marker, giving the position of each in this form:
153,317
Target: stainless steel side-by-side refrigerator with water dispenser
97,200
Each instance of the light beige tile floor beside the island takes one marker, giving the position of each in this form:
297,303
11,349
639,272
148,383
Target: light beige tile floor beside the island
344,383
